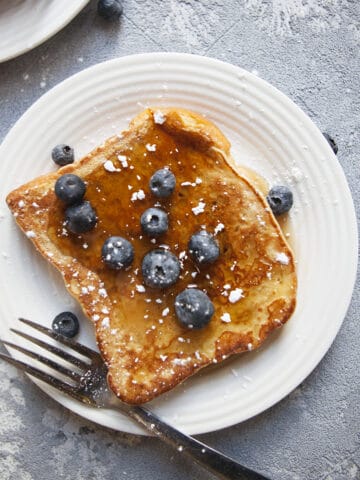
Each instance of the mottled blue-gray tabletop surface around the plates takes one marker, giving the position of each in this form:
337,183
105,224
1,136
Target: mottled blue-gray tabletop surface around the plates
308,49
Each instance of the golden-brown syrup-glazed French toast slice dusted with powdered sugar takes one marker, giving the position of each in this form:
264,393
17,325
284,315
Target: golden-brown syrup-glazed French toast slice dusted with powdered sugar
252,284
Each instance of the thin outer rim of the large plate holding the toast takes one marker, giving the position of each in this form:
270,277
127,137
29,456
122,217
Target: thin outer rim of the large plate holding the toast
161,56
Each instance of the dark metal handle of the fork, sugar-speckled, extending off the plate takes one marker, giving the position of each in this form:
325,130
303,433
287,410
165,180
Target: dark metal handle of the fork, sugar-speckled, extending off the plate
217,463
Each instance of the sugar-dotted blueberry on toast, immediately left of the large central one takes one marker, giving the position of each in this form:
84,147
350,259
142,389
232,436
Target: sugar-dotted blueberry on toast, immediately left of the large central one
117,253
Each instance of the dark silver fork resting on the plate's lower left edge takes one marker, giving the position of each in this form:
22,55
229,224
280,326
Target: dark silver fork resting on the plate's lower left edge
88,385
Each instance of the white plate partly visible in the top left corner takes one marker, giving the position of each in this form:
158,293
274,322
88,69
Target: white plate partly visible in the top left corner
24,24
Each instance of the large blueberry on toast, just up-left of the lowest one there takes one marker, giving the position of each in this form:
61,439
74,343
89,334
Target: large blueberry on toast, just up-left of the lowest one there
160,268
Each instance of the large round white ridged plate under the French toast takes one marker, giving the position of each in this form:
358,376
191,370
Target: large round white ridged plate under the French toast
268,133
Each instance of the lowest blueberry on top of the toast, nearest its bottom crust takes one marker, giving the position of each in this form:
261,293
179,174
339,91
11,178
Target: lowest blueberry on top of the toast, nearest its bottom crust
193,308
